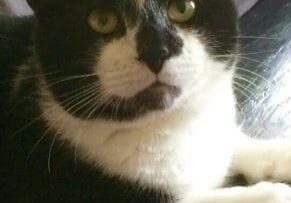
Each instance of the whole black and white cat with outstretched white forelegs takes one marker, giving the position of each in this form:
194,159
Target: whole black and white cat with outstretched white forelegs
128,101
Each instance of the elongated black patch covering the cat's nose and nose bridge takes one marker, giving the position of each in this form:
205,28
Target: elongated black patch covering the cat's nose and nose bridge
156,42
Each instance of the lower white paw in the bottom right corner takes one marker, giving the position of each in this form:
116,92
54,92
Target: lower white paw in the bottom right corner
273,192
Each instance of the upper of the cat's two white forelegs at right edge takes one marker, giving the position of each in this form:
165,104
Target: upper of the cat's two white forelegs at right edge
270,162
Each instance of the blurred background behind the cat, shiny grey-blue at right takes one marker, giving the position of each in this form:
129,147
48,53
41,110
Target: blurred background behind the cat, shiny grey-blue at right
263,78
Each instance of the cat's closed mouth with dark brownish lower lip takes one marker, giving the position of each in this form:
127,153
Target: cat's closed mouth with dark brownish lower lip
158,96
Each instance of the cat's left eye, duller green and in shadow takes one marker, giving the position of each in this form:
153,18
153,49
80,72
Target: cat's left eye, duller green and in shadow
104,22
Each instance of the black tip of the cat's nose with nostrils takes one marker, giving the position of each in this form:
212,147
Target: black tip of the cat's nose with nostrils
155,58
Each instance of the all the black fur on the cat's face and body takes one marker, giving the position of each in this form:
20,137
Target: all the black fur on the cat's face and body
61,41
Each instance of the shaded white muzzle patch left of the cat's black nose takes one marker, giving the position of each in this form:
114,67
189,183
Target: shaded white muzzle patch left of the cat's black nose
120,73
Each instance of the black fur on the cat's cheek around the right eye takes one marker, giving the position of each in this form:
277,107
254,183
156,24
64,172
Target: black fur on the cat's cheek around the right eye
216,21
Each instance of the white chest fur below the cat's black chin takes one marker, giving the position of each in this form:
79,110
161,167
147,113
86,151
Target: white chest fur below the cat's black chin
176,151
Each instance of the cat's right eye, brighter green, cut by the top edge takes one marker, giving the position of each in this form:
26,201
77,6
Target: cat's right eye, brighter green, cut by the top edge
181,11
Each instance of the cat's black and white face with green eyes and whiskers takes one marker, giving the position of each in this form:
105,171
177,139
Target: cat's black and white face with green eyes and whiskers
120,59
